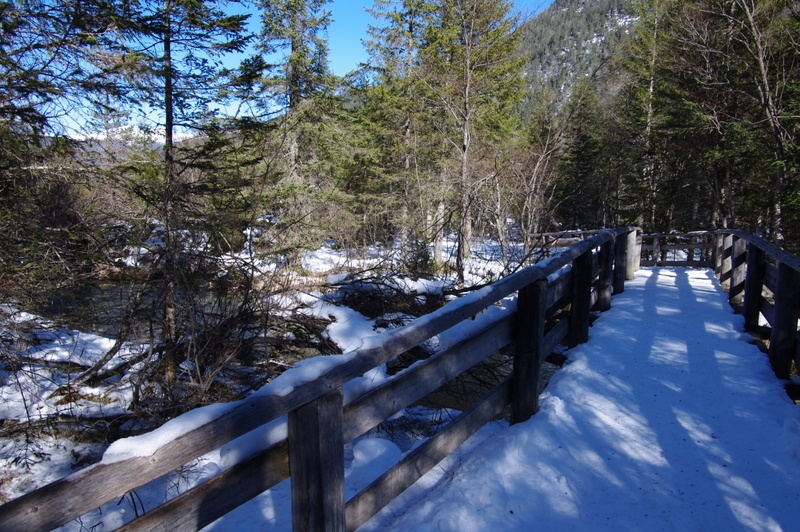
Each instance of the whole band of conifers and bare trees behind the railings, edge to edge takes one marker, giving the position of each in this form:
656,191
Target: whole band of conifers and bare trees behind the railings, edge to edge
687,121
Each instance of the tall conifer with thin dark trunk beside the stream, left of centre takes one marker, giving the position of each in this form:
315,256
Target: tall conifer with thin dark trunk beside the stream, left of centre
177,45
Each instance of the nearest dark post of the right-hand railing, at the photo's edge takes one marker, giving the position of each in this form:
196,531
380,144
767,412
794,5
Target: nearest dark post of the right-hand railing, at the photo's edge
784,327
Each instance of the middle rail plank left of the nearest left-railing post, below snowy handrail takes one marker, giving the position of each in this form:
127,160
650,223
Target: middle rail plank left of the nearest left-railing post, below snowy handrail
214,498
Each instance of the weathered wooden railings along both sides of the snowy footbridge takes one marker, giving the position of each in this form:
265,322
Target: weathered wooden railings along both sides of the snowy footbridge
554,305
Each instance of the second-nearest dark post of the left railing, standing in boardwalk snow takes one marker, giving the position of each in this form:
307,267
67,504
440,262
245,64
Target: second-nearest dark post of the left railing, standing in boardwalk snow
528,350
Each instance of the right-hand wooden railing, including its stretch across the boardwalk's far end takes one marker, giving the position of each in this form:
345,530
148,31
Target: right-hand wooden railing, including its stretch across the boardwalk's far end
762,281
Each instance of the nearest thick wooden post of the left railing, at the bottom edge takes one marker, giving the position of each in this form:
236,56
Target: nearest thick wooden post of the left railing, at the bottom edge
316,463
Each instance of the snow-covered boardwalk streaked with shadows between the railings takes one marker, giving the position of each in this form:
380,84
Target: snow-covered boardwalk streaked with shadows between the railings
667,419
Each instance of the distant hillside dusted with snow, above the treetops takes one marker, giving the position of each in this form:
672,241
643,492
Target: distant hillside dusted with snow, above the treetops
568,40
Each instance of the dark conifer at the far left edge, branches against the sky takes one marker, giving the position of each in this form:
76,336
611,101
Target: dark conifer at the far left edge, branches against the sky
53,64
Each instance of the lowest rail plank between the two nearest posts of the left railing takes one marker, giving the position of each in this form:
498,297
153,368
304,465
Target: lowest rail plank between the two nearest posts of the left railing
422,459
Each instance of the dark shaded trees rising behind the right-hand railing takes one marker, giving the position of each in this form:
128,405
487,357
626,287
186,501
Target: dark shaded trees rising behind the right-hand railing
691,122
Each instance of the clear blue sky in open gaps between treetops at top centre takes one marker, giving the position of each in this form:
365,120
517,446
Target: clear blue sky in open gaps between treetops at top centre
350,23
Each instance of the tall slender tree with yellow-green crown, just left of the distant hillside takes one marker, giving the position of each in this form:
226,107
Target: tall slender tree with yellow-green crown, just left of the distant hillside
473,78
